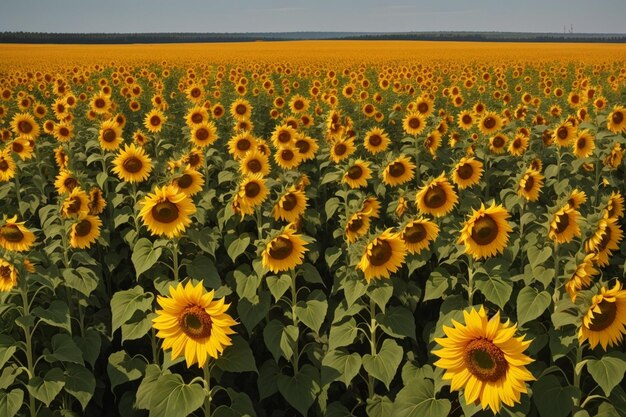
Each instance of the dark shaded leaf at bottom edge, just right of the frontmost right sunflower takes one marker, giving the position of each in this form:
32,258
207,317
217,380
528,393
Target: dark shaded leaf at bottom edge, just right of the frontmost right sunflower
552,399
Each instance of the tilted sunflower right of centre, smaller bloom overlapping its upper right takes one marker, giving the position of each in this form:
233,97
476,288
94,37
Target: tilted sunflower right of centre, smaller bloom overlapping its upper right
383,255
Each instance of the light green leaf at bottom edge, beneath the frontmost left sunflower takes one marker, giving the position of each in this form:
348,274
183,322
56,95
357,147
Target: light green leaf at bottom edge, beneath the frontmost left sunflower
173,398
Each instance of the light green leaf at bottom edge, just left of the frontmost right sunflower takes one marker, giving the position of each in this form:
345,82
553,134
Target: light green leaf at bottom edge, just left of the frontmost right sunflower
418,399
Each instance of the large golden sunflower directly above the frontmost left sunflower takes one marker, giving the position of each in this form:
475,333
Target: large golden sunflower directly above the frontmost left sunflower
166,211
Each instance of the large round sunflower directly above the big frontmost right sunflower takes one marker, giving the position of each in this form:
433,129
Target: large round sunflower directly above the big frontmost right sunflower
486,232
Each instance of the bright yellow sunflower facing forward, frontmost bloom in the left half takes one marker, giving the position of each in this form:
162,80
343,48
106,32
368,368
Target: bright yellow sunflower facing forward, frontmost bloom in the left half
193,324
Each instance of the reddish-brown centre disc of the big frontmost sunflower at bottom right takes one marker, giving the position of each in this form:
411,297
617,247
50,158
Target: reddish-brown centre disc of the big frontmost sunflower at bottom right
485,360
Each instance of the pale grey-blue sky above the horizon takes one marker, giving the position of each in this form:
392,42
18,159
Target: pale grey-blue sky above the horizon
585,16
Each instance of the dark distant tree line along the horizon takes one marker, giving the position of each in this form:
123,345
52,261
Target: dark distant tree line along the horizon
127,38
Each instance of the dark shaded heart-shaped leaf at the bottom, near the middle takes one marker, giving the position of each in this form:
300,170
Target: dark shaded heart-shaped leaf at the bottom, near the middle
301,390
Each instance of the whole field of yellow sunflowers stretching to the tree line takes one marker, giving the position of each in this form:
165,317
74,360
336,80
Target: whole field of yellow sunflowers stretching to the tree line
312,229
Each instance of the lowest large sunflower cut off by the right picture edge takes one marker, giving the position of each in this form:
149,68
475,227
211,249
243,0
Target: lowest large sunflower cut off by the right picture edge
604,322
